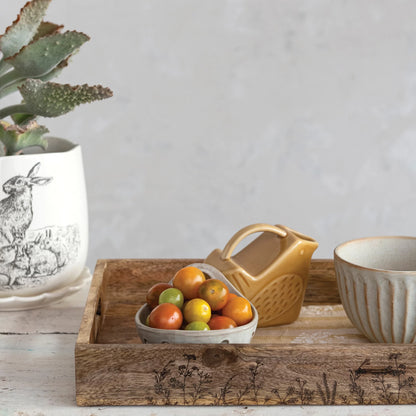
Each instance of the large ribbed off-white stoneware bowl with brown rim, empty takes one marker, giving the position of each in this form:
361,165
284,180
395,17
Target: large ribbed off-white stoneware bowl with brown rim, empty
377,284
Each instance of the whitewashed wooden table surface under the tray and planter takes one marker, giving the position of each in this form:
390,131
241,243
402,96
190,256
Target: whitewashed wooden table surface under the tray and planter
37,374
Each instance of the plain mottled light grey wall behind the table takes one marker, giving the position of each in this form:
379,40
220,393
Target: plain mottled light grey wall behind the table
231,112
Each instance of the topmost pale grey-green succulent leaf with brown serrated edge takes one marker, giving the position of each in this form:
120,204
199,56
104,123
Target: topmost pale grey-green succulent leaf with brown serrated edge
22,30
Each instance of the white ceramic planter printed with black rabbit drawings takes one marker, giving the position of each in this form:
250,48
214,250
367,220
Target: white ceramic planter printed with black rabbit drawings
43,220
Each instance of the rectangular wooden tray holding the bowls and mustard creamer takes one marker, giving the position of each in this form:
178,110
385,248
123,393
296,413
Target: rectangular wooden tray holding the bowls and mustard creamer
319,359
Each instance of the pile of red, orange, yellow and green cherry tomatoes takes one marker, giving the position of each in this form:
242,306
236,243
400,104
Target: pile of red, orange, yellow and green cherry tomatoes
195,302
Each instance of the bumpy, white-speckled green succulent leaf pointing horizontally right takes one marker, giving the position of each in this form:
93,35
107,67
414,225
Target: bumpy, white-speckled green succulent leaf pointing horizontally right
50,99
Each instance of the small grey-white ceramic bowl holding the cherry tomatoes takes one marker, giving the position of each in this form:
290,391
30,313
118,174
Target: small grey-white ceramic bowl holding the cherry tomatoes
239,335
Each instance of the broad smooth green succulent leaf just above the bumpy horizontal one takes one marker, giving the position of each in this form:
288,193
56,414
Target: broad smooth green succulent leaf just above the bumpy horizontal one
44,54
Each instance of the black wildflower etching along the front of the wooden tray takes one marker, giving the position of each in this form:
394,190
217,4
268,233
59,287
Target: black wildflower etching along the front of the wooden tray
190,384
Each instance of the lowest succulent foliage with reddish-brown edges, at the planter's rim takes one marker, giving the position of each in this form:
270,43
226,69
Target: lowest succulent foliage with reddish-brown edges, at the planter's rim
15,138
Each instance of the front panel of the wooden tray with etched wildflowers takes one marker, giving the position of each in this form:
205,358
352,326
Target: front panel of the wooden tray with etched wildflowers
244,375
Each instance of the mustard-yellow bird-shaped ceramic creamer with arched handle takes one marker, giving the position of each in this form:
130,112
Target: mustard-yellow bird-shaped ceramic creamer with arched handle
272,271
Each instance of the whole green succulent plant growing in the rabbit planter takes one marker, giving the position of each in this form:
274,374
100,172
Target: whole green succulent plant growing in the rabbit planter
34,52
